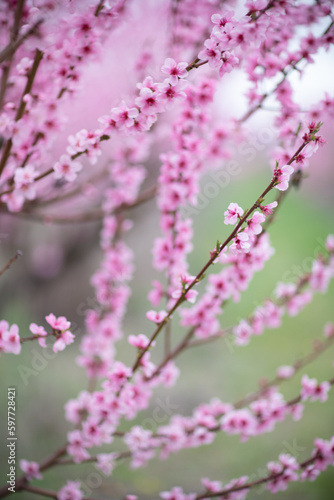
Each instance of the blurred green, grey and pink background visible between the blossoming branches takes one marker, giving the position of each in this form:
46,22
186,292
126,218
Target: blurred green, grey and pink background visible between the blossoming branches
58,260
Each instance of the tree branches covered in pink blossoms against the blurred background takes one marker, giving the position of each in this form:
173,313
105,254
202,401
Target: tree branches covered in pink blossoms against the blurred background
46,47
